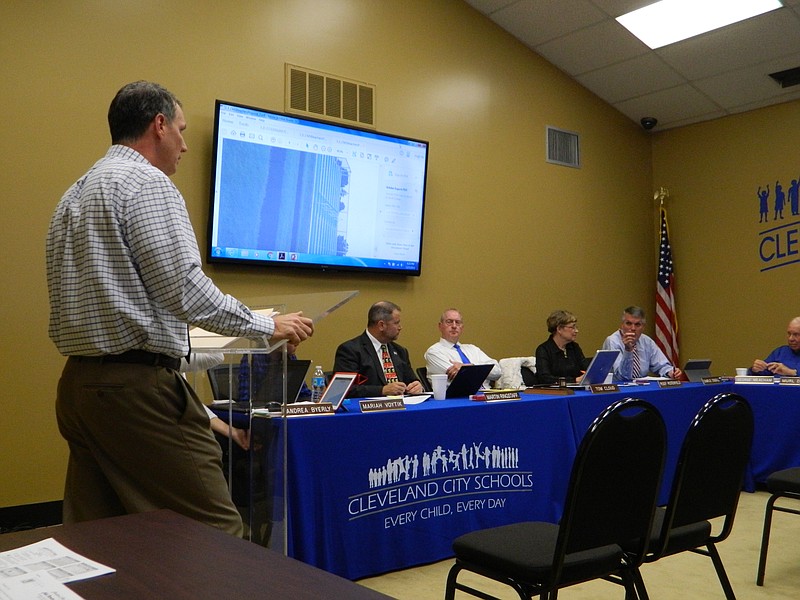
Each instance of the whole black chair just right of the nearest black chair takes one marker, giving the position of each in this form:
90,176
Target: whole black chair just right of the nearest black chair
707,483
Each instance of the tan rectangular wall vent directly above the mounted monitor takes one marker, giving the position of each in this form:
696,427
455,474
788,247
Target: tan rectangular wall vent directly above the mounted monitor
329,97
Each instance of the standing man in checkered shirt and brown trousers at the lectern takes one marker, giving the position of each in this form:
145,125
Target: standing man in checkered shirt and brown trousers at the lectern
124,278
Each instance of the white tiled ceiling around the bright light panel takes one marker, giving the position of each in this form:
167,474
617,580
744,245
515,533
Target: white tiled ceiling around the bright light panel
718,73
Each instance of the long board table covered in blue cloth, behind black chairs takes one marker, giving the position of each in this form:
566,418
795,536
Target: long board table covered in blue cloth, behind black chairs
374,492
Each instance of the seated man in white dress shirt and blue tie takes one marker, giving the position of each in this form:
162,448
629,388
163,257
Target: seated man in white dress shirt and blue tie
448,355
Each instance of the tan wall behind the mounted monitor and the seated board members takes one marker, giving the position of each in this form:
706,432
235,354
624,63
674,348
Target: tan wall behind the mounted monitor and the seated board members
508,237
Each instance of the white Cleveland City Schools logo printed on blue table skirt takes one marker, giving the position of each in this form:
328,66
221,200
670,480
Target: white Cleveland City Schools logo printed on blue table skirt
441,482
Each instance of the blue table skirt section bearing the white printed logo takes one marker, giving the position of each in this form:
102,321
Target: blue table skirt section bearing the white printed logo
378,492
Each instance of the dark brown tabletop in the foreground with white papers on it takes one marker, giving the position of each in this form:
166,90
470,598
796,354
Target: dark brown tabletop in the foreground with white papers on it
162,554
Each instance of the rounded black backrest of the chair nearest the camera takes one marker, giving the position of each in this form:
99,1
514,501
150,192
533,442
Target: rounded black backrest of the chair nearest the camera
615,480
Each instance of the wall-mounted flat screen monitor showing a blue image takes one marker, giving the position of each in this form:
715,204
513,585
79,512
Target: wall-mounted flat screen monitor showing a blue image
288,191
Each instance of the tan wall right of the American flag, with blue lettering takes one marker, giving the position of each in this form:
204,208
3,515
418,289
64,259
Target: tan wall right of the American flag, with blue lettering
731,310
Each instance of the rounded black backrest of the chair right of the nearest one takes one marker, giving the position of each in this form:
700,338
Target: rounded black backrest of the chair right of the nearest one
711,466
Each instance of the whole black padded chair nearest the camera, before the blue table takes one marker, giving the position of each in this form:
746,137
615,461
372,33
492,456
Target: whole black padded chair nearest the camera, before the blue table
611,497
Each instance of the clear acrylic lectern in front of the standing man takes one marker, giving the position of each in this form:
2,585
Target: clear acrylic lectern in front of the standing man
248,383
